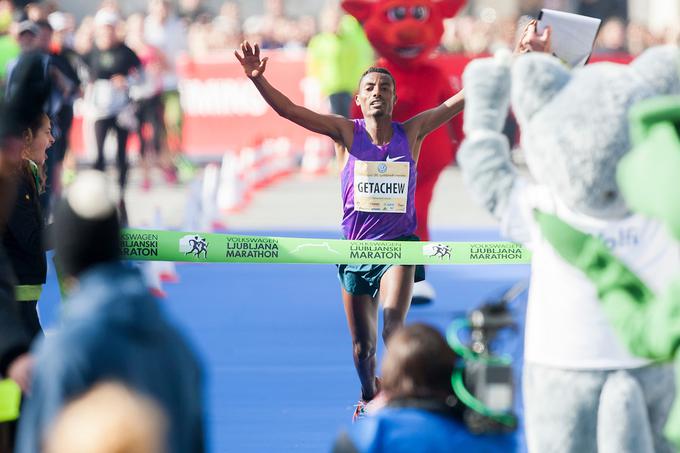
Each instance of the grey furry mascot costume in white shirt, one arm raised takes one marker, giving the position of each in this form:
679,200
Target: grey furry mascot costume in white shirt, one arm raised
583,390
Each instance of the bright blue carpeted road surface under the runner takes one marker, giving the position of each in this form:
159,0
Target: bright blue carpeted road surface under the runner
275,344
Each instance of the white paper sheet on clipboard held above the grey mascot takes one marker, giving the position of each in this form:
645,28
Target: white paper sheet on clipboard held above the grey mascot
573,35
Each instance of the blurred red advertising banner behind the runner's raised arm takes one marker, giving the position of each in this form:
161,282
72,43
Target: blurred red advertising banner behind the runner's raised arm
223,110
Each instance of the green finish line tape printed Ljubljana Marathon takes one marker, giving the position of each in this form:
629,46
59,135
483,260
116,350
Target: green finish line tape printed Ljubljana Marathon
156,245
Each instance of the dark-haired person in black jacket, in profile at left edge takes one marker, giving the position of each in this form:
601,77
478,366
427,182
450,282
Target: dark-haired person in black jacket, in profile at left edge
23,238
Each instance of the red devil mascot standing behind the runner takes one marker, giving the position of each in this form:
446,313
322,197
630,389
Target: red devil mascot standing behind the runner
405,33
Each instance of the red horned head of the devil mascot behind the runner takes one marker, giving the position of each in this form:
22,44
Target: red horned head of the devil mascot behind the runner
403,31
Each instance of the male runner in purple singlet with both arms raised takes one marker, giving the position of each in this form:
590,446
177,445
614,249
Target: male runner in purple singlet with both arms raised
378,160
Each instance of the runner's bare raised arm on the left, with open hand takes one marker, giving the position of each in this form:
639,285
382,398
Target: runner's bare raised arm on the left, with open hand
336,127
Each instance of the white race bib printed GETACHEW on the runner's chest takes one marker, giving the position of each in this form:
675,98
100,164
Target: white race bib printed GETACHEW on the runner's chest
381,186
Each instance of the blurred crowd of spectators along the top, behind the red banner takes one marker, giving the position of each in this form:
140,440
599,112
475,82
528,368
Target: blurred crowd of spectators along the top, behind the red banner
209,31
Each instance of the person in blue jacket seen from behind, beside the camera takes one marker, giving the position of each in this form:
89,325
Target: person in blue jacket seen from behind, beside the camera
422,412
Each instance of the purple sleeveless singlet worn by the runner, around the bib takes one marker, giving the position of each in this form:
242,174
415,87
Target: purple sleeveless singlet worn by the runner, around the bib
377,225
